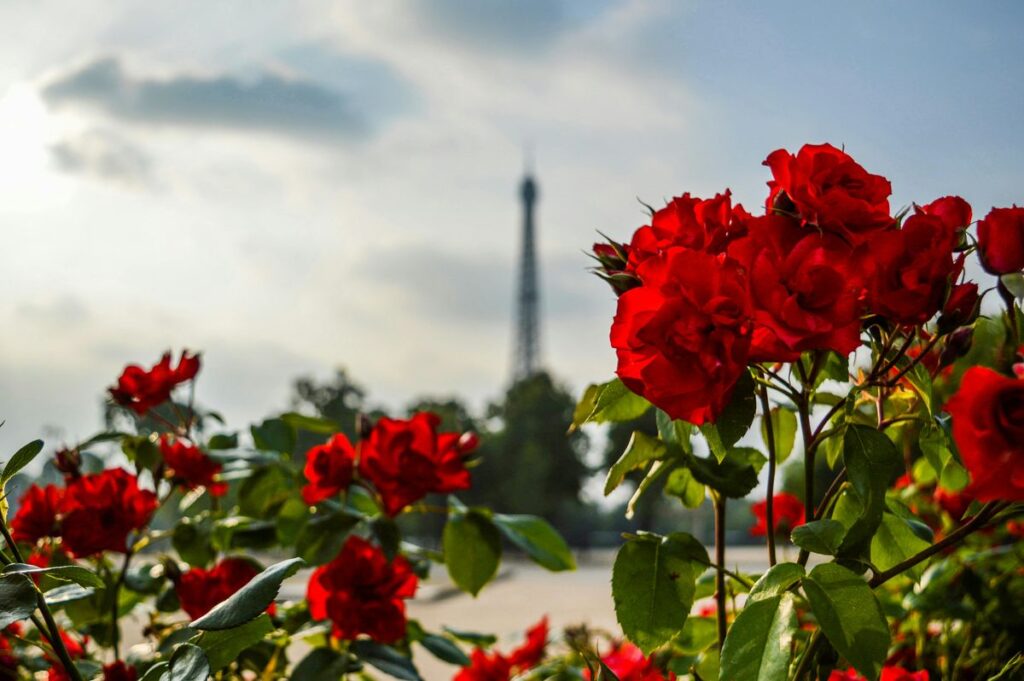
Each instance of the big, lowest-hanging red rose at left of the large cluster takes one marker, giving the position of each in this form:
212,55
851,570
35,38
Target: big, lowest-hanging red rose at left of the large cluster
684,338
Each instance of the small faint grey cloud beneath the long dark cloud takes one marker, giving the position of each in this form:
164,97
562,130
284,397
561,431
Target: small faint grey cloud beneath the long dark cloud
105,155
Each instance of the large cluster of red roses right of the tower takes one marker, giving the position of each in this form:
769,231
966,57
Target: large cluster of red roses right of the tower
708,289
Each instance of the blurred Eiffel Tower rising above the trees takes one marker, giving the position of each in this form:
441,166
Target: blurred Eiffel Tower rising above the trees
527,349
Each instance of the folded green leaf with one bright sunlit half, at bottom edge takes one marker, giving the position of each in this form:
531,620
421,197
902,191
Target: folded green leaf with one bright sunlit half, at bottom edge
758,647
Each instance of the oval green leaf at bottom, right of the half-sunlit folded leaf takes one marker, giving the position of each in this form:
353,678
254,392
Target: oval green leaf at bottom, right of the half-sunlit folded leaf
850,616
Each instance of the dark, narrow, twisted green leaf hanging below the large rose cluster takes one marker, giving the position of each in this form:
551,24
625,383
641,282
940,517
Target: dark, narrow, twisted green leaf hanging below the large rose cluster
872,461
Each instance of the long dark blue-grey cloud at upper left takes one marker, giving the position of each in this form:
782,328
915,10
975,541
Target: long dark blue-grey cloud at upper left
270,102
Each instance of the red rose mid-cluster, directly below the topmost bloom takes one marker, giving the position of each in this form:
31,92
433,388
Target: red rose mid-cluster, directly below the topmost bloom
804,289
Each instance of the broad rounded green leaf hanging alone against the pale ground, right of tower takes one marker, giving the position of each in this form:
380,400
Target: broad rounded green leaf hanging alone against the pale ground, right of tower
653,585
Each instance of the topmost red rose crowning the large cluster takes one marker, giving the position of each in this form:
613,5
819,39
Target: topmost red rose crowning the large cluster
827,188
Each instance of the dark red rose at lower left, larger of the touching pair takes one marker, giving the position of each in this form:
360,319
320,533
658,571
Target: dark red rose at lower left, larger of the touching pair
101,509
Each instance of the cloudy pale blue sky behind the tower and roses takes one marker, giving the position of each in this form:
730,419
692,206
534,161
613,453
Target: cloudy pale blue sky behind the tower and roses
292,187
